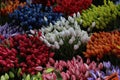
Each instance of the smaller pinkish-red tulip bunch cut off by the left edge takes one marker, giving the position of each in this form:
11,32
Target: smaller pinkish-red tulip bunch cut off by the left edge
8,58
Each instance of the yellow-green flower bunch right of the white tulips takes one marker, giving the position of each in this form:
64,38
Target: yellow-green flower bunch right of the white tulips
100,17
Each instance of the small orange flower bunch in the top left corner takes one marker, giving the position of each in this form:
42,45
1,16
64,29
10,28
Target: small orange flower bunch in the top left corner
10,6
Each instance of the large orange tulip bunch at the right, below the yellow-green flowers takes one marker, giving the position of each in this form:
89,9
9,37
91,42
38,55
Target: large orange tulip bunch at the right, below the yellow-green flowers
102,44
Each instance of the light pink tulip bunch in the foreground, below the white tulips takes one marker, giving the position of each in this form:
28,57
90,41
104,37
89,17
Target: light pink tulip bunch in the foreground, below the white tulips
74,69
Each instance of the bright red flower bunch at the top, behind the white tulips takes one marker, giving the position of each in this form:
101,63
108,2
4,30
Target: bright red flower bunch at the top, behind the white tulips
68,7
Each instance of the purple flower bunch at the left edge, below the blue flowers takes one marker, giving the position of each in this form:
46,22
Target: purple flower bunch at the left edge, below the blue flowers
7,30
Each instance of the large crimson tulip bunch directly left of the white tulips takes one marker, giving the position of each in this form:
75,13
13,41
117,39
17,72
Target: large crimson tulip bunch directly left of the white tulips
32,53
